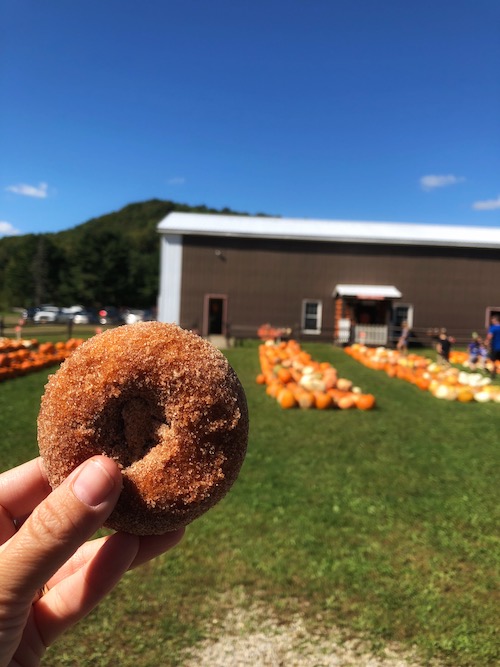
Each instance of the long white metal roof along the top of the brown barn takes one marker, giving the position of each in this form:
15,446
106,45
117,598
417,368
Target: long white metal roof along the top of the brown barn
401,233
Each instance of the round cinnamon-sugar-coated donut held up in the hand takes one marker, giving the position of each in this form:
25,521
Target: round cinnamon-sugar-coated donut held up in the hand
161,401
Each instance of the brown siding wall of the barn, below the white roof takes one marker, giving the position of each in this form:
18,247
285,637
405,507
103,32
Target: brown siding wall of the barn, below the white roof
267,280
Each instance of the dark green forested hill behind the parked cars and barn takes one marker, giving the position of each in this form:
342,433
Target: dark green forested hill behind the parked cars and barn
113,259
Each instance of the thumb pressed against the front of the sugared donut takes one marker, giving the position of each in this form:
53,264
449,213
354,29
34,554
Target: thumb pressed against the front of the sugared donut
57,527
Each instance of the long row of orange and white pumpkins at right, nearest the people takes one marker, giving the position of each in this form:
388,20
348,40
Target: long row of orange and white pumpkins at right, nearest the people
442,381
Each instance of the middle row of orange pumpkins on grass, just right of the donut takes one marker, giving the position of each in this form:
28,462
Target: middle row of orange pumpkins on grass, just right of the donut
295,380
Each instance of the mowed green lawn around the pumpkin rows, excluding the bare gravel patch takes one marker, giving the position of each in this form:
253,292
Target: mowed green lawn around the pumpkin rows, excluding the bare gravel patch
382,523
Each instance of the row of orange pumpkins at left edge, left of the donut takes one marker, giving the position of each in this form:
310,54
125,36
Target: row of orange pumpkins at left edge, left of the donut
20,357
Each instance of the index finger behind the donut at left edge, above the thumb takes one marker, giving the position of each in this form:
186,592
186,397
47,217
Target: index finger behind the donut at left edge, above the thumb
23,488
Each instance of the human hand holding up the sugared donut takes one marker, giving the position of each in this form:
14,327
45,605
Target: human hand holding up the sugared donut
43,538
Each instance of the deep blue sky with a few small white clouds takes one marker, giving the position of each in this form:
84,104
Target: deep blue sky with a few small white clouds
382,110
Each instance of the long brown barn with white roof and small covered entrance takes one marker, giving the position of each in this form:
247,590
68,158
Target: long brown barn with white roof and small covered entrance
334,280
